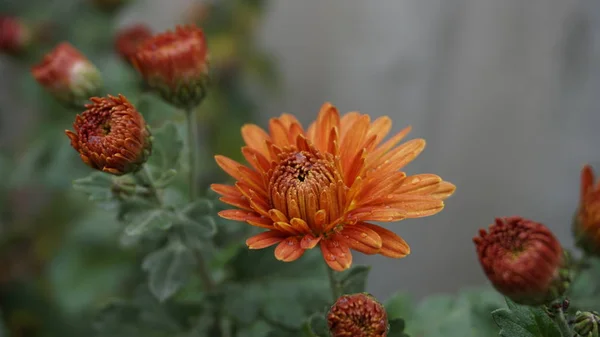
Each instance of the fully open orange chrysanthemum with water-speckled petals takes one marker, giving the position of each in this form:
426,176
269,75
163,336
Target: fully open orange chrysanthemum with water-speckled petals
322,186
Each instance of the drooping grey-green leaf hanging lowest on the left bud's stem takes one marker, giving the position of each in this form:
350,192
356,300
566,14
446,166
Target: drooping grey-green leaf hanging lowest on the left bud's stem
169,269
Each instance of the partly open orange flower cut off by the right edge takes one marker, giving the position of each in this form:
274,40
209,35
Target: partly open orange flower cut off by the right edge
587,220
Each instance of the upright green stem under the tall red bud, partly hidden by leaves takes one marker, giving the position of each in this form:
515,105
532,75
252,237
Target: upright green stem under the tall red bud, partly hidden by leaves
192,136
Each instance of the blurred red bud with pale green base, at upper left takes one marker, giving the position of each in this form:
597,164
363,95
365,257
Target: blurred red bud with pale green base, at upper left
68,75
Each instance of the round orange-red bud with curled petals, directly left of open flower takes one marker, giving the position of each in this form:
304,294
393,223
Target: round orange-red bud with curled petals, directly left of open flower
111,136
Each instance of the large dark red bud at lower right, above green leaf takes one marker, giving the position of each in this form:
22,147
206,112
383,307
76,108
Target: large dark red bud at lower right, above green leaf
523,260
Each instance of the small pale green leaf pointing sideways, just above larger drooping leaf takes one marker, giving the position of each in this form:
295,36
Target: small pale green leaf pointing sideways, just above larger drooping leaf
144,220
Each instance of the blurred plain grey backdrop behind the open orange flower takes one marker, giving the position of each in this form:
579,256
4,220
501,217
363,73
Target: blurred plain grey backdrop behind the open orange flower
505,92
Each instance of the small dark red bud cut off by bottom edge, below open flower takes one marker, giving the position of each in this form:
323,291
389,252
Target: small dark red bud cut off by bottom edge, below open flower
357,315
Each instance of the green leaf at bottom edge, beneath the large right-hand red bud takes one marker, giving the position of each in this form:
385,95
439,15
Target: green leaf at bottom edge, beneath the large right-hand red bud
524,321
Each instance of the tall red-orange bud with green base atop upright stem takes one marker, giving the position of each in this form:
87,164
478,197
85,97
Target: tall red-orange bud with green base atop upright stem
175,64
